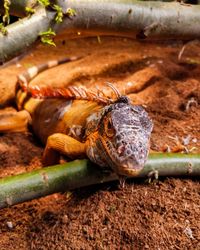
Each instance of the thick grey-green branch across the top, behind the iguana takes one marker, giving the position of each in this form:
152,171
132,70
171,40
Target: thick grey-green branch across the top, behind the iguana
131,18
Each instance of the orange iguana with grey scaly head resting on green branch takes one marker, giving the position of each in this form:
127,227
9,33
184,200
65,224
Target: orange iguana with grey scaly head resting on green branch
80,123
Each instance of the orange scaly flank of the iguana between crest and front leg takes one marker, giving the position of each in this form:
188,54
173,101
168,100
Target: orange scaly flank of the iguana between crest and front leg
67,117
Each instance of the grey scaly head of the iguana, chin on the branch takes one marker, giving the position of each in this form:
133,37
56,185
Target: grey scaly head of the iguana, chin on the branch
119,137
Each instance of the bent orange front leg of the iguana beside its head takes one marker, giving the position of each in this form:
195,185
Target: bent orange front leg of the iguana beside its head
61,143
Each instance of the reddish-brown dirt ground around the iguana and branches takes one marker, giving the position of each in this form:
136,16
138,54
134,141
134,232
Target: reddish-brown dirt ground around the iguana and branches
162,215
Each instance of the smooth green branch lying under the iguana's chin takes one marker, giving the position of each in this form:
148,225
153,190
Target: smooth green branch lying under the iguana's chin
80,173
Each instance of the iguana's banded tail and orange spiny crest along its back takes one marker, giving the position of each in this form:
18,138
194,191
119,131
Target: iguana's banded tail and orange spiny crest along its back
71,92
